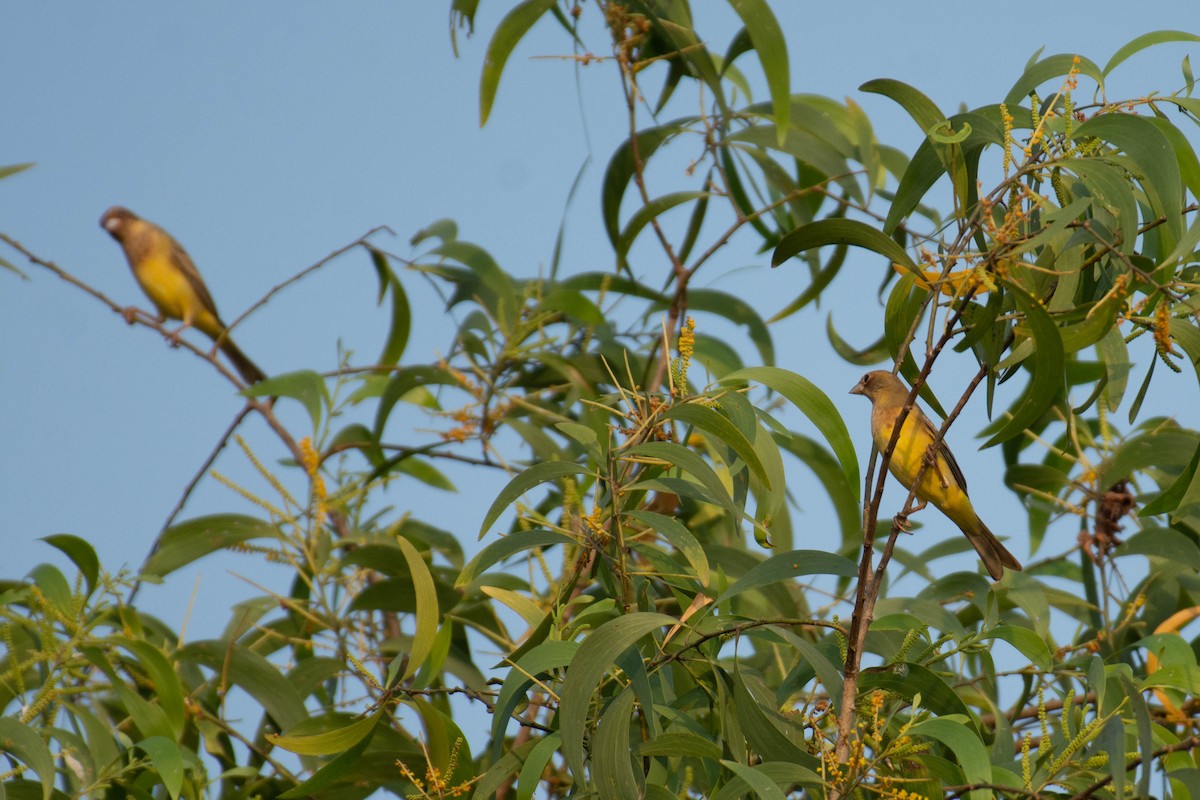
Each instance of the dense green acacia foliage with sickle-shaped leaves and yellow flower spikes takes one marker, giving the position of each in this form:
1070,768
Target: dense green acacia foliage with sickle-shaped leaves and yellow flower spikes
656,647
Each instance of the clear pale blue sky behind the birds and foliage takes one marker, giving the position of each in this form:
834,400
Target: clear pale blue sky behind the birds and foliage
265,139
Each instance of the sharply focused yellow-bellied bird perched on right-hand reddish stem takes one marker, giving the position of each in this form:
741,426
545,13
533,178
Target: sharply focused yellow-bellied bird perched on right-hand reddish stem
943,484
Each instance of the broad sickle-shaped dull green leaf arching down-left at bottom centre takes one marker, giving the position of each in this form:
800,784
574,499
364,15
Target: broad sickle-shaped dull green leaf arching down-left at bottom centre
597,655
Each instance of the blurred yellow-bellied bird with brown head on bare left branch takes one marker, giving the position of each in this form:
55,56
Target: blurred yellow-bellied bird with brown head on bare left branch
166,273
